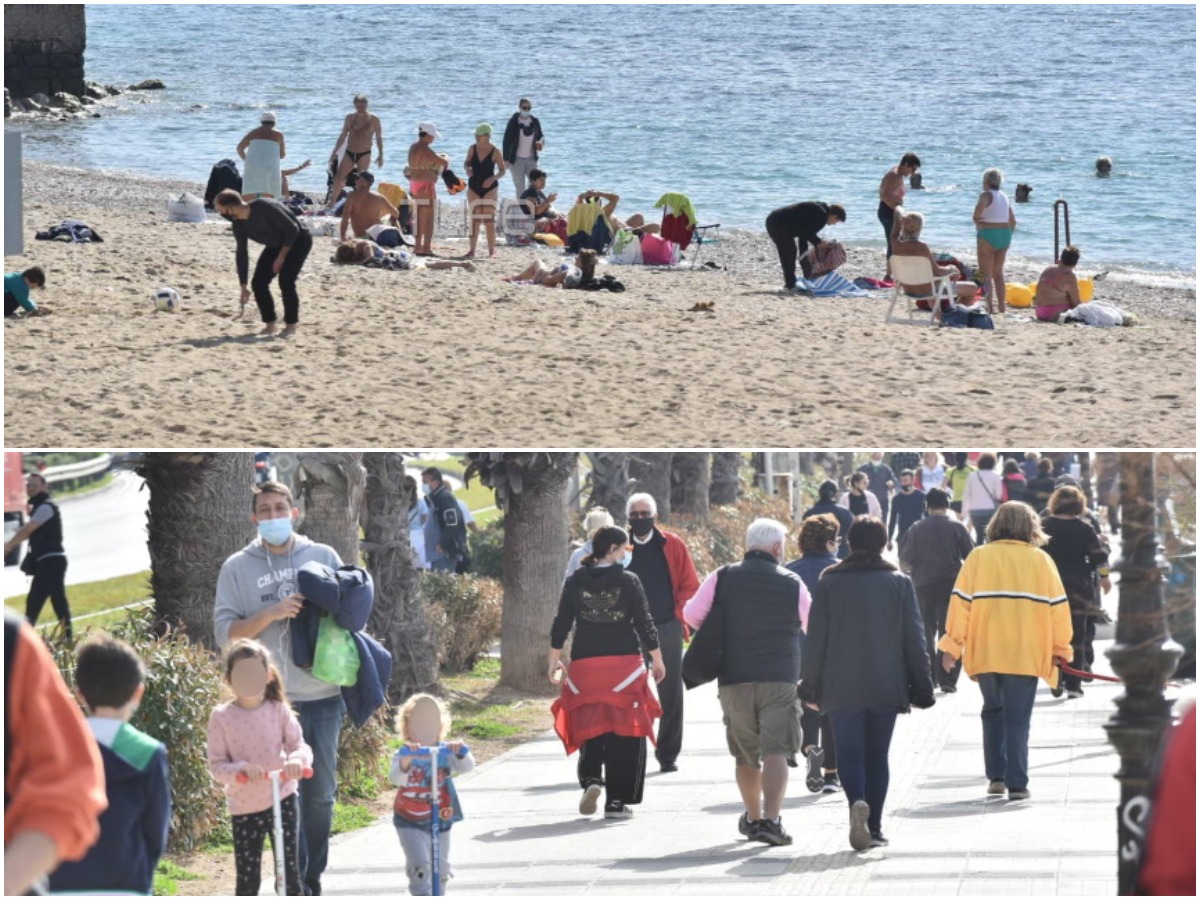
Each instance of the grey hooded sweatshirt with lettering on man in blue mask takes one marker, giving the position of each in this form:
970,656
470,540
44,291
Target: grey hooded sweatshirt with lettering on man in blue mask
253,580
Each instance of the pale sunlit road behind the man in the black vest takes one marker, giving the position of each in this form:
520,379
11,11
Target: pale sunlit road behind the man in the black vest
104,532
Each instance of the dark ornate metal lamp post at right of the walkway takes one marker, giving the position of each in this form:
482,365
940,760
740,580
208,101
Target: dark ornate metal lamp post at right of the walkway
1143,657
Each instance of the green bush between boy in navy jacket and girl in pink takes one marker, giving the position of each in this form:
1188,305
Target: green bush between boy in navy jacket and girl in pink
183,687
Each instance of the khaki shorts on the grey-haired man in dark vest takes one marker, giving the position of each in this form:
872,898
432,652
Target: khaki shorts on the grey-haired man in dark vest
761,721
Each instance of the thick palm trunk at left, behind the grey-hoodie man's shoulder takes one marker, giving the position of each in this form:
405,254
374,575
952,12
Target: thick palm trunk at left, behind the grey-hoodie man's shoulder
199,517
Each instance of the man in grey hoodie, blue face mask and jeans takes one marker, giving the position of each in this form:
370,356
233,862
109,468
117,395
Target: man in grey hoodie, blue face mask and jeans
257,599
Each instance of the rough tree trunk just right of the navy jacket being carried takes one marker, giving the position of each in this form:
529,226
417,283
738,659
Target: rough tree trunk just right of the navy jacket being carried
399,620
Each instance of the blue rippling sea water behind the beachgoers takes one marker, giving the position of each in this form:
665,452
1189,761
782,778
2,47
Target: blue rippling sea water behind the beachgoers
745,109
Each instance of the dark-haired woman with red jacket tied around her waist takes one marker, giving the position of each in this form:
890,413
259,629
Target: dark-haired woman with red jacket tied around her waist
608,610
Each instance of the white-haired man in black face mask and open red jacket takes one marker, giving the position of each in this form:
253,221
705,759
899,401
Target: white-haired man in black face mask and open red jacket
669,577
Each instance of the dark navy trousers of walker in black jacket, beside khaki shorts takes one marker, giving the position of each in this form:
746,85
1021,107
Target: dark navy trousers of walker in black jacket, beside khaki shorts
863,739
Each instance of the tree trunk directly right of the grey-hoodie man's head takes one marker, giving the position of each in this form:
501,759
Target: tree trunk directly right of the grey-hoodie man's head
332,487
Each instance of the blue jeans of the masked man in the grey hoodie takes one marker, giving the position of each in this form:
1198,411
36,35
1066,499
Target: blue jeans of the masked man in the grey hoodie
321,721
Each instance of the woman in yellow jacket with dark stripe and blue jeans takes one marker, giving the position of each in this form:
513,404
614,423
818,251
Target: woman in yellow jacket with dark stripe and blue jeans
1010,622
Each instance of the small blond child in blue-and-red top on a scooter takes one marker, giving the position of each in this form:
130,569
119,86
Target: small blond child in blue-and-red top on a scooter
424,725
